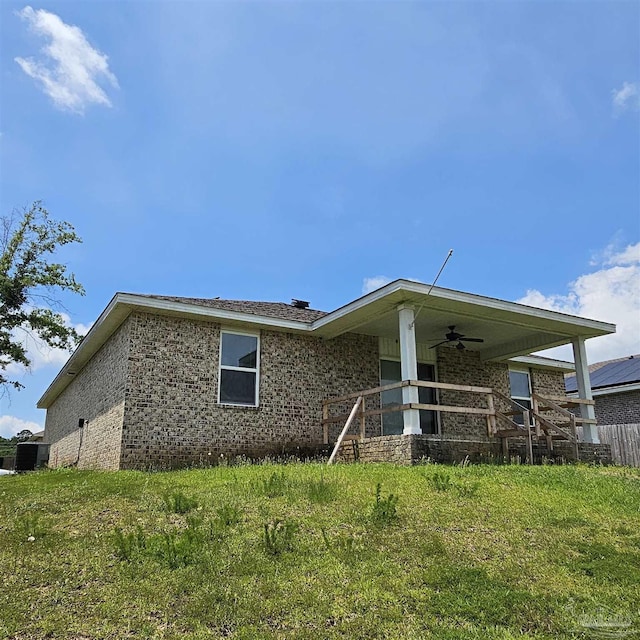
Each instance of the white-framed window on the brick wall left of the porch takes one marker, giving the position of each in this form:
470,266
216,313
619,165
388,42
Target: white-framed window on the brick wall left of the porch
239,367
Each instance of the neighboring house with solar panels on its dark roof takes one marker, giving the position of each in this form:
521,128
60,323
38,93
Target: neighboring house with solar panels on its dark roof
615,387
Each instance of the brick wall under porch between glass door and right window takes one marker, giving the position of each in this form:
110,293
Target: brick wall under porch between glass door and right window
465,367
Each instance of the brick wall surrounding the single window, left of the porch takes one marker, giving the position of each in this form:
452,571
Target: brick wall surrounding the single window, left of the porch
172,417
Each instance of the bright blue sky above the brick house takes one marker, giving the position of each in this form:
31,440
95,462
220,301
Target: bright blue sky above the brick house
270,150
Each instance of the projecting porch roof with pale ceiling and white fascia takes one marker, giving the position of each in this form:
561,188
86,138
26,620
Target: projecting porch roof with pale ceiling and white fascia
508,329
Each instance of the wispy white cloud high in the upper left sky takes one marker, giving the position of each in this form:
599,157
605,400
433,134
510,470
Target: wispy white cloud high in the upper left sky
70,68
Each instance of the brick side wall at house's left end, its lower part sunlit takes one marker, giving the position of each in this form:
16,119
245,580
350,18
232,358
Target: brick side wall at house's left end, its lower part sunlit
96,394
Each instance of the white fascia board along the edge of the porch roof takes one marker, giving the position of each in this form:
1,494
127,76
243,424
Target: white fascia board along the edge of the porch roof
589,327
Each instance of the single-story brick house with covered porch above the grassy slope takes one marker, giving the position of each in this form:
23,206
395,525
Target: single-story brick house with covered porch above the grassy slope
160,381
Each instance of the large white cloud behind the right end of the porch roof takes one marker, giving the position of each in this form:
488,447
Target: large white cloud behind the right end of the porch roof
612,294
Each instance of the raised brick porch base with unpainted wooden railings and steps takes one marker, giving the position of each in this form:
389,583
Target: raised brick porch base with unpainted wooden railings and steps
546,430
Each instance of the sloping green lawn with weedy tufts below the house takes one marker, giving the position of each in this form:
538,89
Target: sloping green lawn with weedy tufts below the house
304,551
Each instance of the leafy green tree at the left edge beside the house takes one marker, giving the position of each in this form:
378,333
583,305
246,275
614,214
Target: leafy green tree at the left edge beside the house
29,284
